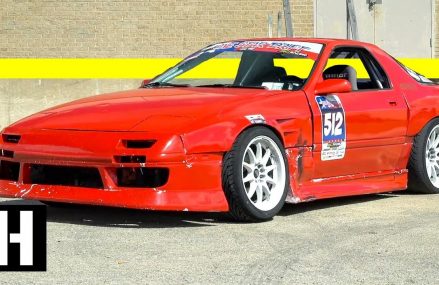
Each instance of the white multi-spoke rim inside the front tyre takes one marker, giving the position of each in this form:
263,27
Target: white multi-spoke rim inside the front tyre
263,173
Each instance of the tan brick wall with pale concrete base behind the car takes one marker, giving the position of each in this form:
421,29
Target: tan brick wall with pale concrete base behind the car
124,29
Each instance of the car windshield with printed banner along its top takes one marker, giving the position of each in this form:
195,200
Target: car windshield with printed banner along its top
273,65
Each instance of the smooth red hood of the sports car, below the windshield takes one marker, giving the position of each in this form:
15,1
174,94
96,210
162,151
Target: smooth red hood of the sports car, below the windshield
136,110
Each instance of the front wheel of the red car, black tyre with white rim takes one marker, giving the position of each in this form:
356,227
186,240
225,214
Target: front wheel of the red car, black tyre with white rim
255,175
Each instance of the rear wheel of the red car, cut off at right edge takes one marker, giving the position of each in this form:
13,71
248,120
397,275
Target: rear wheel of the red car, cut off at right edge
424,160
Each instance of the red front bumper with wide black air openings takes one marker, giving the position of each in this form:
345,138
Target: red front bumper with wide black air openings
193,184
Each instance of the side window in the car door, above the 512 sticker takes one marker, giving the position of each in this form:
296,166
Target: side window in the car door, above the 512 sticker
358,66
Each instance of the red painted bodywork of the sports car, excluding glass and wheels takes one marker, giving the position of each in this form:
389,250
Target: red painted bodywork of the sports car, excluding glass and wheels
192,128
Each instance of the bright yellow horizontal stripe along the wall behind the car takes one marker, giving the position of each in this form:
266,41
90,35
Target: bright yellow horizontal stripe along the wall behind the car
11,68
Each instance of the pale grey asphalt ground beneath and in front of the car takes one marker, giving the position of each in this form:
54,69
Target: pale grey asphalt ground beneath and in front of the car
375,239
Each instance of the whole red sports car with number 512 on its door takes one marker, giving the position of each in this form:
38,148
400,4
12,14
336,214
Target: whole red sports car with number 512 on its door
273,120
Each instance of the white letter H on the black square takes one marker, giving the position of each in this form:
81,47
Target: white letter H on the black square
24,238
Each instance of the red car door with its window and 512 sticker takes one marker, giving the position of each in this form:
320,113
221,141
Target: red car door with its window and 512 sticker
362,131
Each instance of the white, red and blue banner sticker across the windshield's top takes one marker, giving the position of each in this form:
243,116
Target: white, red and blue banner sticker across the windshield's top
303,49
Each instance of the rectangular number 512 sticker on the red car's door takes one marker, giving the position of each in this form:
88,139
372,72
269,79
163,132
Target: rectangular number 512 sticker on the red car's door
333,127
